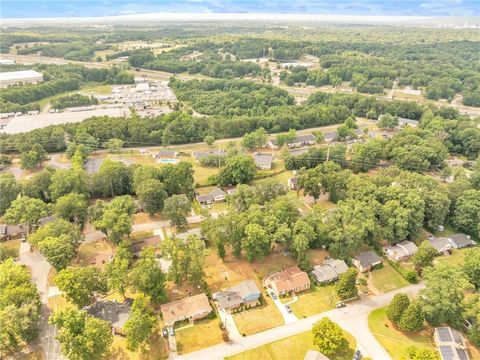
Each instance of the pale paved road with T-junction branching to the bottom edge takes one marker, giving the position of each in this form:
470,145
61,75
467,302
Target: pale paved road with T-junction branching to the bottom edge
353,318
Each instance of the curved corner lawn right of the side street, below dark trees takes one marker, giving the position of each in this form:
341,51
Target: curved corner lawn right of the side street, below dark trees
395,341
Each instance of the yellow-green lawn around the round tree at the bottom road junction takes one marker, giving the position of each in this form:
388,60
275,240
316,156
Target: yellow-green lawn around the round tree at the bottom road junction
291,348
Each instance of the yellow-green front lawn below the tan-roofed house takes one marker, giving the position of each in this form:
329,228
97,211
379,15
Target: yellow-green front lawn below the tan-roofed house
204,333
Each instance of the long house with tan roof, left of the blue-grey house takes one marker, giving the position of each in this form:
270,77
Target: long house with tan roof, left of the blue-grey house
192,308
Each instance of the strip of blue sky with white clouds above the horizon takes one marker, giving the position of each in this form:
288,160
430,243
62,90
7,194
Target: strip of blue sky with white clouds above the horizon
81,8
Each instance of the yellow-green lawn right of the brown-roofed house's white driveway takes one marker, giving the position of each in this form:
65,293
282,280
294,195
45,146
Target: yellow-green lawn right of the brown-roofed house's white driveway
318,299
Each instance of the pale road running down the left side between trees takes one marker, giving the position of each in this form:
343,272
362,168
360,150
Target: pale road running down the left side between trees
39,268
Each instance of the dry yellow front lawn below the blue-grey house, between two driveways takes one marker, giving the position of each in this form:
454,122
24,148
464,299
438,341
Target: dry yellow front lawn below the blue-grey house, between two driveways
259,318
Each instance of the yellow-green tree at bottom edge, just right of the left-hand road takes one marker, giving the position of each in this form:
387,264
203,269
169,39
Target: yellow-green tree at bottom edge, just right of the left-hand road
81,336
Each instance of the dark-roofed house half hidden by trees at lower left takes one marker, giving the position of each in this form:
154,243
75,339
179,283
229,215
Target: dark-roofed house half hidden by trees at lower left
114,312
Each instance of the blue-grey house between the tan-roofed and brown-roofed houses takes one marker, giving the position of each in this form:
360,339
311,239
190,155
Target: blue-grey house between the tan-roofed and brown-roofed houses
245,294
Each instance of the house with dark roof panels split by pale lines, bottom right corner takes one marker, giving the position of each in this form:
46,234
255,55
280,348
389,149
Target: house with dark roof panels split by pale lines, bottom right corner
450,344
